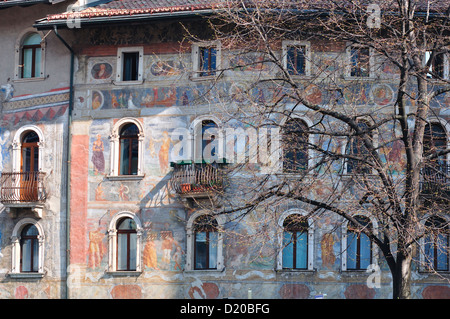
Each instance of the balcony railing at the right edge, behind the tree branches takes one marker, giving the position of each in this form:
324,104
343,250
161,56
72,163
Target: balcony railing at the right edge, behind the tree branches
436,180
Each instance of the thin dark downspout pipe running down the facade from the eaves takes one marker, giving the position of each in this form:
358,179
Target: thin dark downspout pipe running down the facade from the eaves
69,156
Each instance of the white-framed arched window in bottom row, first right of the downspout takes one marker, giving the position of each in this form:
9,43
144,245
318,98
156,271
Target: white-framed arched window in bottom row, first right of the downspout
124,243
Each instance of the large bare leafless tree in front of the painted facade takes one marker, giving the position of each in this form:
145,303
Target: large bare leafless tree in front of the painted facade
368,148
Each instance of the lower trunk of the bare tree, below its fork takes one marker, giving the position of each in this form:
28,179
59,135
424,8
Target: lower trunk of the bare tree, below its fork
401,277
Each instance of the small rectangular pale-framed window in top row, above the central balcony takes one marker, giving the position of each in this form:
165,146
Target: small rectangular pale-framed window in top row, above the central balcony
206,59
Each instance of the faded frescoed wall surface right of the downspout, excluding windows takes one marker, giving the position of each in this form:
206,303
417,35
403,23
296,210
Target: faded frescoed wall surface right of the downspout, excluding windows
167,100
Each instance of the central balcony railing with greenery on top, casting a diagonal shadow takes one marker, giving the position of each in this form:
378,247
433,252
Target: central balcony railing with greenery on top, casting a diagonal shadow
196,179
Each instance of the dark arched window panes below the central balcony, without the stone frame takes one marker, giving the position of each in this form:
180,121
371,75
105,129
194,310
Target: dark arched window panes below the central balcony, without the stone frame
205,242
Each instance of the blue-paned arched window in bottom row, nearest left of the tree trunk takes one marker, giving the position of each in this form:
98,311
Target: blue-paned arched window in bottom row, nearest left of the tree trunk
359,247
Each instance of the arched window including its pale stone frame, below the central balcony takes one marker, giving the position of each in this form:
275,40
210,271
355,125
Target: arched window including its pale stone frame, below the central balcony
204,242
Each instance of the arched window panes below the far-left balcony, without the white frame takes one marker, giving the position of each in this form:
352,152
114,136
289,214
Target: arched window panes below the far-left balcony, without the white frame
29,248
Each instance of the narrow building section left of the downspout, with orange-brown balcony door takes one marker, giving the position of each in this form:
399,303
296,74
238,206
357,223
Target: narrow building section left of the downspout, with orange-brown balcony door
34,100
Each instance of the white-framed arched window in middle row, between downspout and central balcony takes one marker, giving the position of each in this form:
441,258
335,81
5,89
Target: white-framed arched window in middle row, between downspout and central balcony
127,139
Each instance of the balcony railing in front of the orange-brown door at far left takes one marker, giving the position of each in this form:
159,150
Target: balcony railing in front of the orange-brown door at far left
22,187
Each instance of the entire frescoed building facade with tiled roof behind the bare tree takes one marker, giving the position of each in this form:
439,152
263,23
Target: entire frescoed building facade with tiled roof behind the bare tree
133,217
